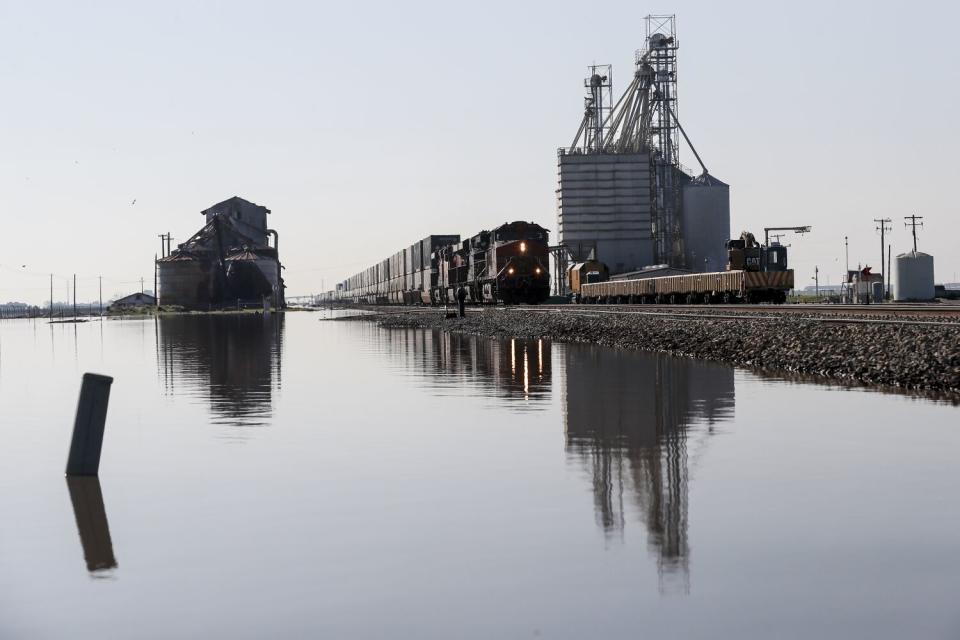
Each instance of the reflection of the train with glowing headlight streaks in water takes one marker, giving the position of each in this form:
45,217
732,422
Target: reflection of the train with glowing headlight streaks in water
510,368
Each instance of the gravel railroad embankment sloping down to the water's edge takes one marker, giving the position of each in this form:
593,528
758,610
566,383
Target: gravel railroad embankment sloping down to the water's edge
919,355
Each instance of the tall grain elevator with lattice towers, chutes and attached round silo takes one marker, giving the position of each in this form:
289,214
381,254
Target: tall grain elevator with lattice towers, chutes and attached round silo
623,194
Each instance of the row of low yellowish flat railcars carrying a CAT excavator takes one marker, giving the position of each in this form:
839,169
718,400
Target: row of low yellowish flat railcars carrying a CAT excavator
755,273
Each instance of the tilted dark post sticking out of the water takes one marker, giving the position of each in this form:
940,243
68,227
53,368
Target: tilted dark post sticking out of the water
84,458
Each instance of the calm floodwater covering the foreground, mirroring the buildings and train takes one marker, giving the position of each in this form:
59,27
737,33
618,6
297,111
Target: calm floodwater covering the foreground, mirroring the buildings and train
292,477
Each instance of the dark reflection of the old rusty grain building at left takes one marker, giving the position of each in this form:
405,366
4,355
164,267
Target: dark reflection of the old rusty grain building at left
232,360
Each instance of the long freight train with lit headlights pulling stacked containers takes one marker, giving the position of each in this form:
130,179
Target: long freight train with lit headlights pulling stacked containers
508,264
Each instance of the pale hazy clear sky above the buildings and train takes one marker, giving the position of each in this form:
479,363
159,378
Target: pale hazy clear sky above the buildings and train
365,126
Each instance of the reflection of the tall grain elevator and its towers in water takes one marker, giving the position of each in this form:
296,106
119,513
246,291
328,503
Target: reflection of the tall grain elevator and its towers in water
630,417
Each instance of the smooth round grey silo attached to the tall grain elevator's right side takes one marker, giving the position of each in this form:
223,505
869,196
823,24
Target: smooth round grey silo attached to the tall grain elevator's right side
705,223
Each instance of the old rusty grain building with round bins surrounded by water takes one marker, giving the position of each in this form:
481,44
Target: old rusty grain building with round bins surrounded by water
227,262
